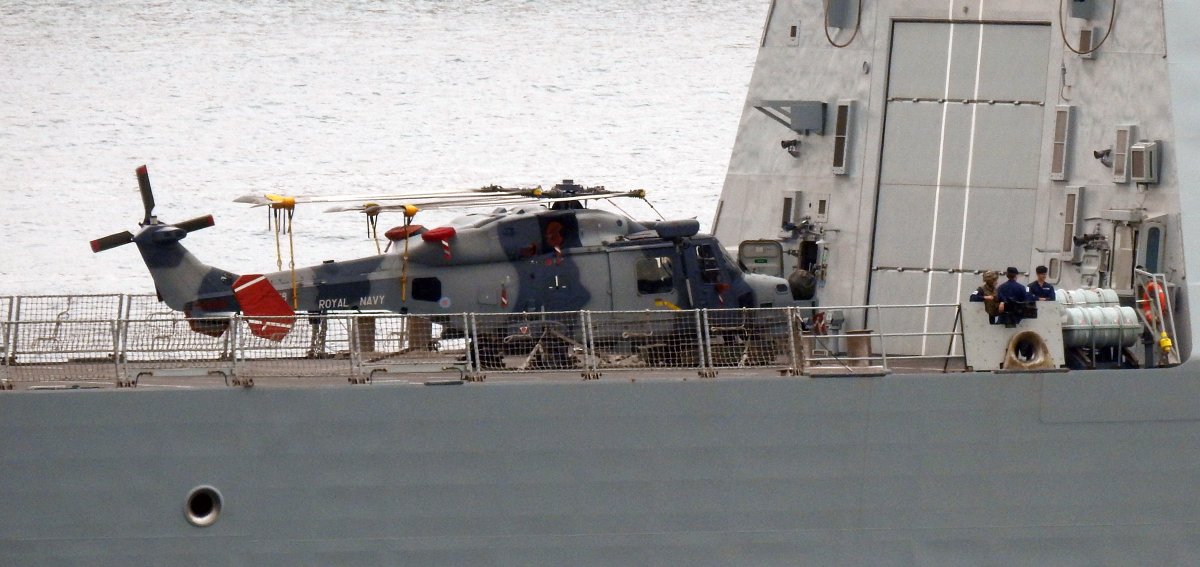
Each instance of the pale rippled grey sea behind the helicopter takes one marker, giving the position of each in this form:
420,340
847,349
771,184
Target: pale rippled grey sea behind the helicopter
224,99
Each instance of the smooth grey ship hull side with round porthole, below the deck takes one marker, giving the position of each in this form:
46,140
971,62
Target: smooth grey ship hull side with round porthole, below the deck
1052,469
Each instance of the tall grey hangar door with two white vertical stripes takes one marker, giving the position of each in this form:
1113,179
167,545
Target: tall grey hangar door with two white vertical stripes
959,168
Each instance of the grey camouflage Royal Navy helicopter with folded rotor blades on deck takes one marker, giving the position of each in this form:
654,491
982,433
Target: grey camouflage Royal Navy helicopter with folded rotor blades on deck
537,252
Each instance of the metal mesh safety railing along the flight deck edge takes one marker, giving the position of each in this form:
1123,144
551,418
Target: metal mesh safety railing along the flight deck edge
128,339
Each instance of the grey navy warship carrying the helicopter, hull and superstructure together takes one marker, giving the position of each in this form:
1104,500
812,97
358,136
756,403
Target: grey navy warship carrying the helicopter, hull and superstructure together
890,156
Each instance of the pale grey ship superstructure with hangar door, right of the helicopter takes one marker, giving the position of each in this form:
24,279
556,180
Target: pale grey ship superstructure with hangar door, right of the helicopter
896,151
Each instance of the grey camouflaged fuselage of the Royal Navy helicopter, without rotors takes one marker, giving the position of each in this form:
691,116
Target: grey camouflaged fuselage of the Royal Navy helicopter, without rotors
508,261
